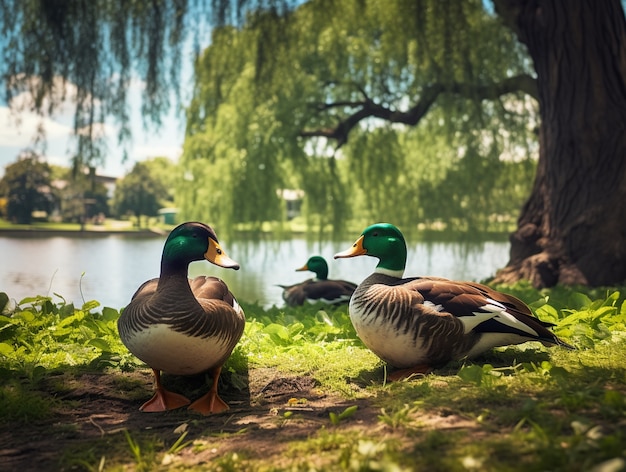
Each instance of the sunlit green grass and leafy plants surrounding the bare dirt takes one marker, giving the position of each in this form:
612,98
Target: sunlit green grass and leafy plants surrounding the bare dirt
517,408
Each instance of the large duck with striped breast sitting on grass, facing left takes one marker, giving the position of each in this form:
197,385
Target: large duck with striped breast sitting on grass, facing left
420,323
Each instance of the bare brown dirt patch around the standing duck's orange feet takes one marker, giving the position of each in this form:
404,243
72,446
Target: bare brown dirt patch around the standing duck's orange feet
97,406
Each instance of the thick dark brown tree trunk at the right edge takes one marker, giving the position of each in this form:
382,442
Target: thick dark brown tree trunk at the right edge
572,229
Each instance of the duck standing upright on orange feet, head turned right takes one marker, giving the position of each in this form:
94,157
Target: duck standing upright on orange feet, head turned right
182,326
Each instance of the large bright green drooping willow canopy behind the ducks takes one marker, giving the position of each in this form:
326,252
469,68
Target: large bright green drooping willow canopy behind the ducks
259,122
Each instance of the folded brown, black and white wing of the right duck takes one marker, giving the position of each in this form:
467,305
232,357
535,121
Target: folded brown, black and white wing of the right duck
482,309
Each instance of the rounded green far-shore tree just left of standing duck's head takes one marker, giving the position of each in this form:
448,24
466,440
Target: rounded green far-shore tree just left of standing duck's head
139,193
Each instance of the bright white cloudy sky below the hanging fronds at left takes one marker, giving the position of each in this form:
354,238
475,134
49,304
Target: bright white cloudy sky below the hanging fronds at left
17,132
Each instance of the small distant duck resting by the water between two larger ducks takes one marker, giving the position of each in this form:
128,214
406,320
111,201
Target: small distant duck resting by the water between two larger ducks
318,289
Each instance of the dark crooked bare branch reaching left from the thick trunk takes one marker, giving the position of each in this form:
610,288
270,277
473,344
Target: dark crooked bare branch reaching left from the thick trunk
367,108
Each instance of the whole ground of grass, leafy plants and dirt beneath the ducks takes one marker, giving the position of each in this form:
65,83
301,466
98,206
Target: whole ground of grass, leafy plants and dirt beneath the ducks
305,394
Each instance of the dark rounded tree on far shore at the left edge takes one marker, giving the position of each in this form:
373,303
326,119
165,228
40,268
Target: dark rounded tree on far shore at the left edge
26,185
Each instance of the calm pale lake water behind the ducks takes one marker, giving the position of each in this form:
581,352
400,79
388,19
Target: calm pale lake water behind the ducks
109,268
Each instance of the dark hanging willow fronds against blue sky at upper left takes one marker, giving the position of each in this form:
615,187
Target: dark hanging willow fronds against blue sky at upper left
87,52
